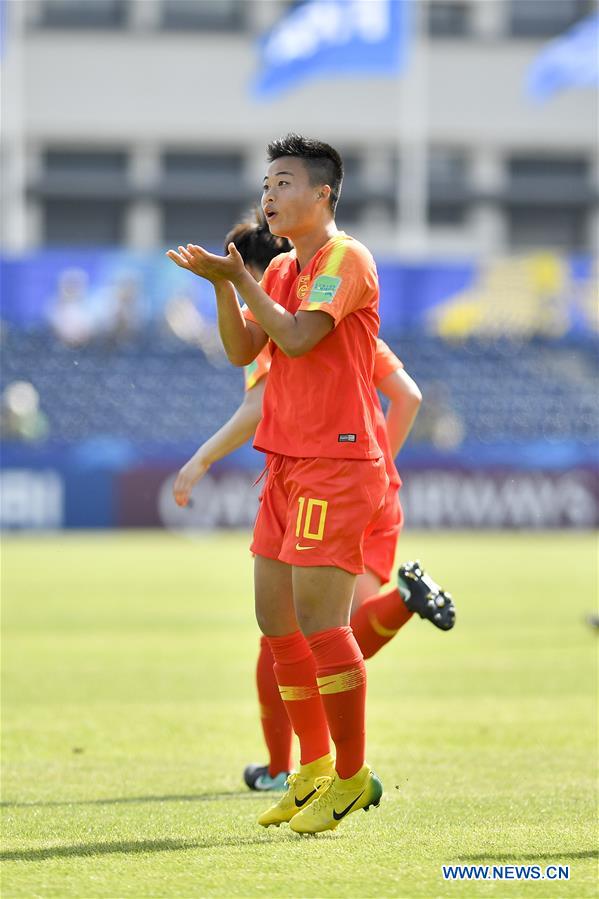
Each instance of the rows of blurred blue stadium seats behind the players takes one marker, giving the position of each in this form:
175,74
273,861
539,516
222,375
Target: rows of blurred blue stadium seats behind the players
158,390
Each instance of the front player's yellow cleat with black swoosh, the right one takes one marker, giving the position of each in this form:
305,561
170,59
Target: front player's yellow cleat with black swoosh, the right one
336,799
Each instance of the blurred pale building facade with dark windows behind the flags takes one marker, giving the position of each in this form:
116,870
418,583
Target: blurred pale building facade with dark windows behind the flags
131,123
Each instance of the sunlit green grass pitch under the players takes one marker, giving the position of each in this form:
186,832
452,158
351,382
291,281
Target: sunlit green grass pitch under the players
129,714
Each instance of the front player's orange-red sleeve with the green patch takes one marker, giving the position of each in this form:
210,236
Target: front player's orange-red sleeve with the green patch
344,281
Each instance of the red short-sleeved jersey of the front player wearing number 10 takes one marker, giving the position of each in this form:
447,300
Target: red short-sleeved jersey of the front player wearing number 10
320,405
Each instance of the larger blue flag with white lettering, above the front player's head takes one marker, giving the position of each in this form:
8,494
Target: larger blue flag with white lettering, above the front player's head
330,37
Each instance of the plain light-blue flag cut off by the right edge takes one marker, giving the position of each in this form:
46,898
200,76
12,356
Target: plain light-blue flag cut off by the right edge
571,60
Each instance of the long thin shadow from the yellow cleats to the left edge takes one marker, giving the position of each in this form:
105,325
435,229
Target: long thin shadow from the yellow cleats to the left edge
130,847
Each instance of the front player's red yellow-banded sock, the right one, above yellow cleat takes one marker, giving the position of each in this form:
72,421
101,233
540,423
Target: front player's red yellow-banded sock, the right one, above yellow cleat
341,678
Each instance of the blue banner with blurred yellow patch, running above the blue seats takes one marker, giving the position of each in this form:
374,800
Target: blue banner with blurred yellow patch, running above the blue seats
555,295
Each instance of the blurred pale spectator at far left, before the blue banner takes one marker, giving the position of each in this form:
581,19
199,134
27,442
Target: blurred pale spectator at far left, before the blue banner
70,316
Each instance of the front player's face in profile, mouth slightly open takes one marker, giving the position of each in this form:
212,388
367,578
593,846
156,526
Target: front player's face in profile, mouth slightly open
290,203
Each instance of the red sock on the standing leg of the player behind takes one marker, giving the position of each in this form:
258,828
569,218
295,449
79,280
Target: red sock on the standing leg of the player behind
278,734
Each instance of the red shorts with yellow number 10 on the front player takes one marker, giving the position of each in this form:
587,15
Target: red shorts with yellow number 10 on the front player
315,511
